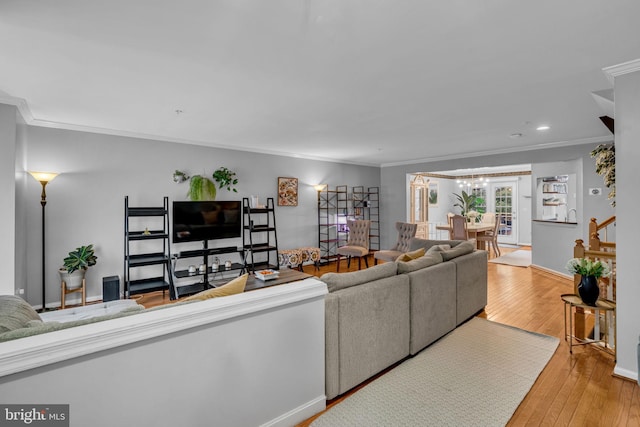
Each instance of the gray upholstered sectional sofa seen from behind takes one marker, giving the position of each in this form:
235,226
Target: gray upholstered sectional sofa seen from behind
383,314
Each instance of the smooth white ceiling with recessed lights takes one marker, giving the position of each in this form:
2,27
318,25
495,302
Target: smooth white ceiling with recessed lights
363,81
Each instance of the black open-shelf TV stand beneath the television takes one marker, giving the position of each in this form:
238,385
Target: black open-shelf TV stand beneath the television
207,279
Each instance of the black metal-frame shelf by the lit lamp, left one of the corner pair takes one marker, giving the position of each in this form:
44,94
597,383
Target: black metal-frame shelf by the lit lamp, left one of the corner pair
333,210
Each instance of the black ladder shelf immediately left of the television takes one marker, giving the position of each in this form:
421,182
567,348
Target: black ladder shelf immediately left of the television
134,254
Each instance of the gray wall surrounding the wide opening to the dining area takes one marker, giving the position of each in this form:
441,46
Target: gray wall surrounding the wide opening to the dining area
553,256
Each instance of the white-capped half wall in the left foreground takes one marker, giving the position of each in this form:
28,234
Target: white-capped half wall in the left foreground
245,360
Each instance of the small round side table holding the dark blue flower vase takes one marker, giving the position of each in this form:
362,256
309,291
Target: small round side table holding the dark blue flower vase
572,301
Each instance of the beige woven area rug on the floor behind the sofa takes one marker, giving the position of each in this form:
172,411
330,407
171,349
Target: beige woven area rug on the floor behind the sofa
477,375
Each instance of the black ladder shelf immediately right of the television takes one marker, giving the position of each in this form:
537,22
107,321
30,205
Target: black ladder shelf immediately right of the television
260,240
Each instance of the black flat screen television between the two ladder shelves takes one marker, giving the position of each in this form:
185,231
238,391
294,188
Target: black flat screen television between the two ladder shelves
206,220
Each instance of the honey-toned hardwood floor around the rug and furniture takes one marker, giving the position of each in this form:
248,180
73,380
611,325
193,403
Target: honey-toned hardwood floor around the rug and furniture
573,390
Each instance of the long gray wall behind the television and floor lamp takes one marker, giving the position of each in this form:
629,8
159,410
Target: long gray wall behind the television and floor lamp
85,202
